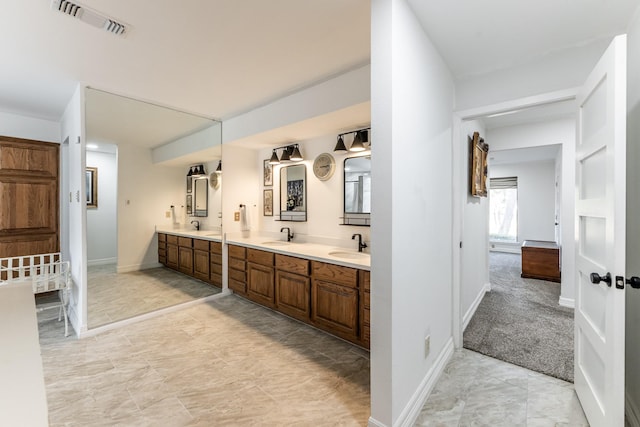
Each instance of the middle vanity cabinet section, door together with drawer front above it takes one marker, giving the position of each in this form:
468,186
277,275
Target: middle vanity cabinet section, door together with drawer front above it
293,287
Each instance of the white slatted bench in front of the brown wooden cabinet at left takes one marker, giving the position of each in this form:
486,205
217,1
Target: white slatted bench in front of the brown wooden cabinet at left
45,273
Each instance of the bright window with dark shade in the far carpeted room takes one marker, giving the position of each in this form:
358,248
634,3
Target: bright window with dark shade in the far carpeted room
503,209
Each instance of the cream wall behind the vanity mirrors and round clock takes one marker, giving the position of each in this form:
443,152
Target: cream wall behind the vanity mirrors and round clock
325,205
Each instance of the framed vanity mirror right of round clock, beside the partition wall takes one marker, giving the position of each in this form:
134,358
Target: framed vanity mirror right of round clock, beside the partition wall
357,191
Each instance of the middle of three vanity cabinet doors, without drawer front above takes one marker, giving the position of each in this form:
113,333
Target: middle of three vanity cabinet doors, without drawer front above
293,293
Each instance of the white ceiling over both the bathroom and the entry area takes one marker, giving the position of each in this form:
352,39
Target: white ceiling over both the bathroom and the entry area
217,58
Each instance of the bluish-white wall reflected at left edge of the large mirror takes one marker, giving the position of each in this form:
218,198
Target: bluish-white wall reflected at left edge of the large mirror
101,222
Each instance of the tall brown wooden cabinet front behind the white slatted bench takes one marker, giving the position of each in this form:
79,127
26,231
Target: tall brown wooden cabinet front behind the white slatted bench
29,199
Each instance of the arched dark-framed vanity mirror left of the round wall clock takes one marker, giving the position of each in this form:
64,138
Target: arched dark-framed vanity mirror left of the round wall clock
293,193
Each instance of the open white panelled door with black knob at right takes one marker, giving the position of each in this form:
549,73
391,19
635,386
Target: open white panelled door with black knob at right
600,234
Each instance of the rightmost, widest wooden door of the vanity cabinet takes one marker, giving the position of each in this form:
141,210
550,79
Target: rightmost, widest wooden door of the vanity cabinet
335,308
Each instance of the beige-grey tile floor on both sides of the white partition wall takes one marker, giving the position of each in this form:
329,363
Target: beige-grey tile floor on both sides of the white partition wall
231,362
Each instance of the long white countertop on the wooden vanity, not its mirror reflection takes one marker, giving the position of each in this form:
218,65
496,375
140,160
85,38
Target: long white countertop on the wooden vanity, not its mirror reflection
313,251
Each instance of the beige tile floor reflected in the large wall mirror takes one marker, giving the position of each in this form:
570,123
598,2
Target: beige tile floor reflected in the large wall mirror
113,296
